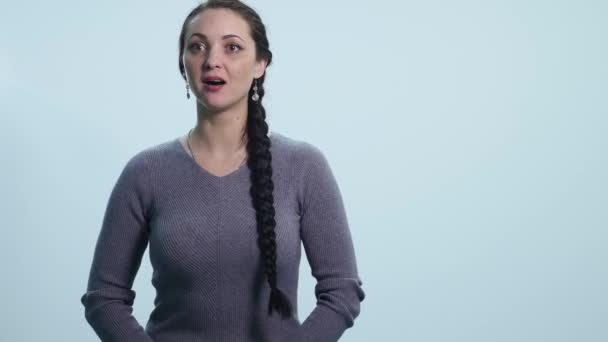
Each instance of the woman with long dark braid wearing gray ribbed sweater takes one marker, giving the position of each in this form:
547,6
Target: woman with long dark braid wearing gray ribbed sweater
224,209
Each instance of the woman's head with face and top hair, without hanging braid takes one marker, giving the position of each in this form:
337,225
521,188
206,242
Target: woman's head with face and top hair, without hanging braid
223,39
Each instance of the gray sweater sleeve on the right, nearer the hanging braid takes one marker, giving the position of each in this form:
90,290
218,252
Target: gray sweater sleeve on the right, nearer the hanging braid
329,249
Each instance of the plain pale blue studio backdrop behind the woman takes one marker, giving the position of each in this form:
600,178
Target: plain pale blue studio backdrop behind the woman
469,140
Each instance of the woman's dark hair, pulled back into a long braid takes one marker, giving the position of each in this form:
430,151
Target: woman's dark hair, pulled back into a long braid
258,144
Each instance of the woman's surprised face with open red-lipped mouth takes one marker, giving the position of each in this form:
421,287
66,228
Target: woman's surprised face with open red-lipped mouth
218,43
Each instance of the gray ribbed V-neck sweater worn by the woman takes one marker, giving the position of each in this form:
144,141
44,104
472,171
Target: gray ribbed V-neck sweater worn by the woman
207,271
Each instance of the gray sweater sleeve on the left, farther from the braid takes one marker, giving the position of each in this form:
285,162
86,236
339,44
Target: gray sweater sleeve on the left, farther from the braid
117,257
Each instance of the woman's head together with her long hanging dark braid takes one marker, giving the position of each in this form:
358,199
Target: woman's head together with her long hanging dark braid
216,55
